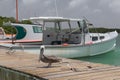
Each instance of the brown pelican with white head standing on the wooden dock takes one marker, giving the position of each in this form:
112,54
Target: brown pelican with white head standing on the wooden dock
47,59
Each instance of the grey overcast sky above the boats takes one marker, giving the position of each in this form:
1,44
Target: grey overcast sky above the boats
102,13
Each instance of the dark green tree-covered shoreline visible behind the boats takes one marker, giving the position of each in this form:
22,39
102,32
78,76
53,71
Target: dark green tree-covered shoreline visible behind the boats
12,20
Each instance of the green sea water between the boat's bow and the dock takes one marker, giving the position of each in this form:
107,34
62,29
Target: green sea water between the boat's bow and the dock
112,57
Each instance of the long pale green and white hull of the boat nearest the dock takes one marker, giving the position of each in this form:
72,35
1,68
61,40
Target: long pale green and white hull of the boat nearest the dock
73,50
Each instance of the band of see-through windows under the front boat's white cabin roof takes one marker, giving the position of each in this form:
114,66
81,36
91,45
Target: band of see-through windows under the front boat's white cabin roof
66,26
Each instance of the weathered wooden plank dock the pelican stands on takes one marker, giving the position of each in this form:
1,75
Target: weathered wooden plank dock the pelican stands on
25,66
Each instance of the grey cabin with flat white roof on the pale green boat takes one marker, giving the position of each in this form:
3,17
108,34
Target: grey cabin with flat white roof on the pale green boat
58,30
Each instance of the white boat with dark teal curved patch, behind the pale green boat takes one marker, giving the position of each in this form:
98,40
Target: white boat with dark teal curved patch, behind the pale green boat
26,34
